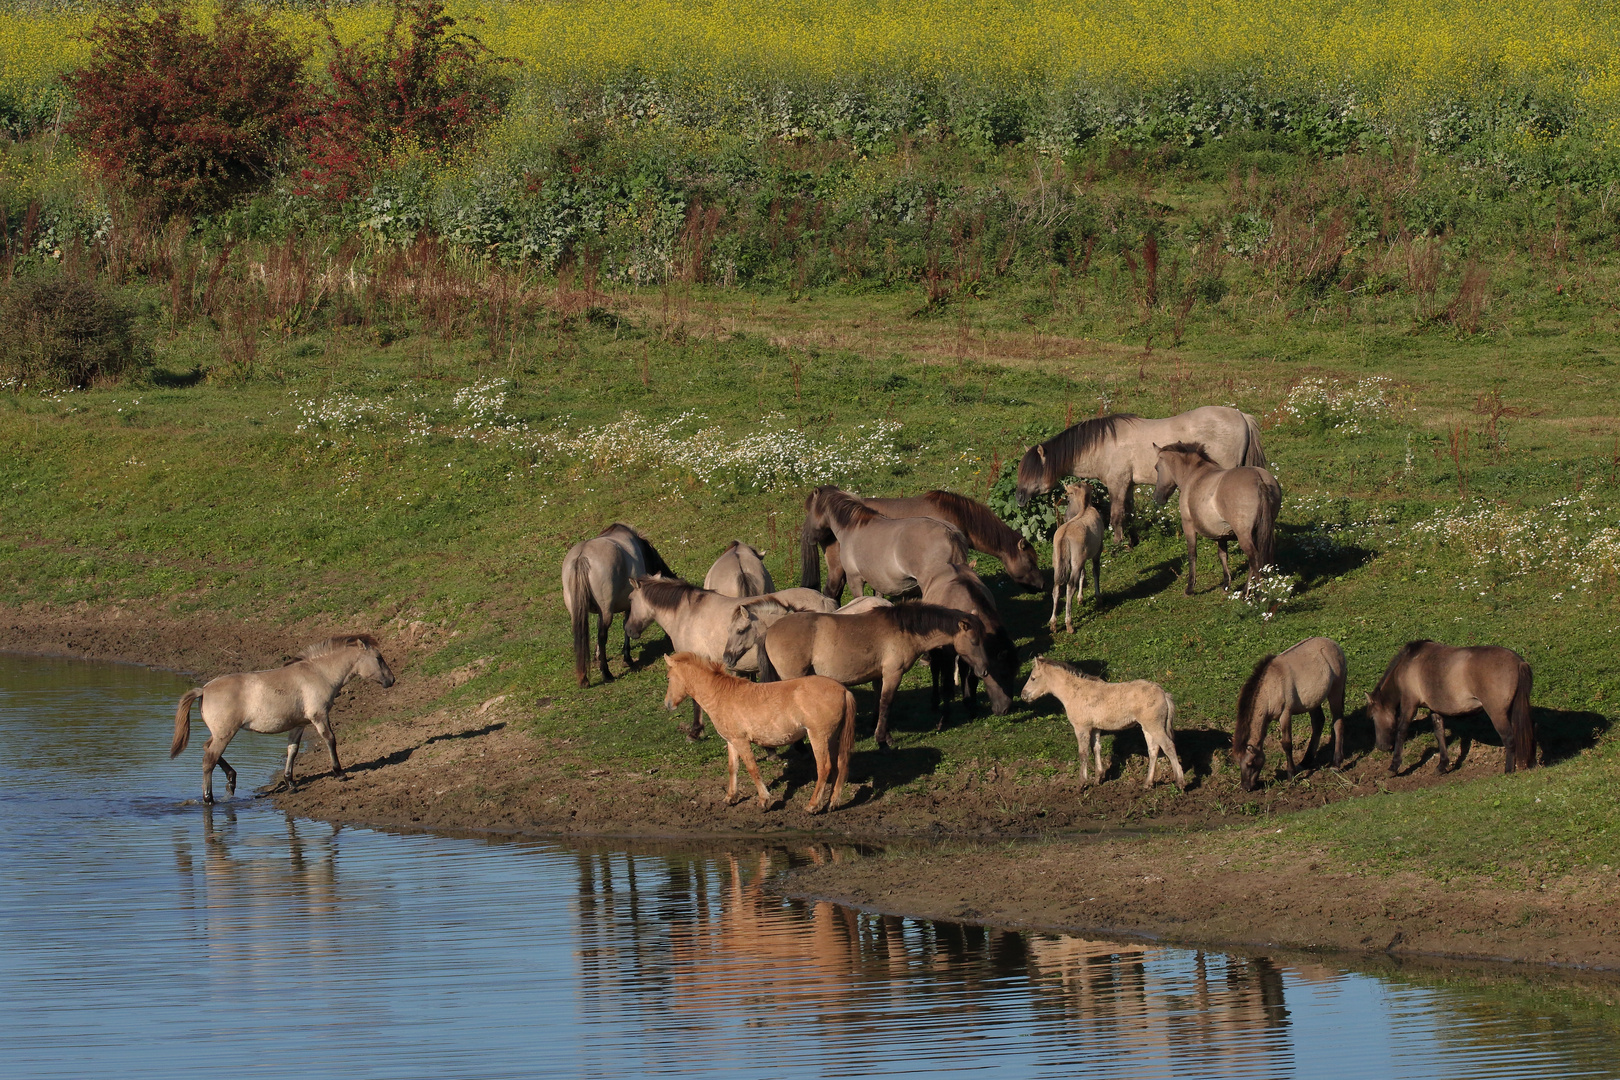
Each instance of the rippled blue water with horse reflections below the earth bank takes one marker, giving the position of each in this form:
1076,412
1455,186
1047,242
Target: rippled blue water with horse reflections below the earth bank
147,938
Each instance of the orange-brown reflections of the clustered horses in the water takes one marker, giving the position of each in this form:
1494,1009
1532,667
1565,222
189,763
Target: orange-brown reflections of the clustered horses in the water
722,943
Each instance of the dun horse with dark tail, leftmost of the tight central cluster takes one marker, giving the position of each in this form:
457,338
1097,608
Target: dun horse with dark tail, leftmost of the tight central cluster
597,577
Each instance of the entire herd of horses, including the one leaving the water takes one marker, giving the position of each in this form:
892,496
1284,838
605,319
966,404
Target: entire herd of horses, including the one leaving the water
804,648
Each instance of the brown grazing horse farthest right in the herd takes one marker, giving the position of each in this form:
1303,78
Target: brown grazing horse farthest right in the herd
1452,681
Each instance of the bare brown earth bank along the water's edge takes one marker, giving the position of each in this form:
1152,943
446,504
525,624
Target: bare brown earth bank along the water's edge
1109,859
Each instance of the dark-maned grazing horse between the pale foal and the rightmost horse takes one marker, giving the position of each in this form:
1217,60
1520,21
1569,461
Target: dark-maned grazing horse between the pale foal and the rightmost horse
1284,686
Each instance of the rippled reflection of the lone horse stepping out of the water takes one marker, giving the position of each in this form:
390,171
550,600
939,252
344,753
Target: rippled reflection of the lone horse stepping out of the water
247,877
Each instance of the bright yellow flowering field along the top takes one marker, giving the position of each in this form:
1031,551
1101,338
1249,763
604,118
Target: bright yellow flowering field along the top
1391,56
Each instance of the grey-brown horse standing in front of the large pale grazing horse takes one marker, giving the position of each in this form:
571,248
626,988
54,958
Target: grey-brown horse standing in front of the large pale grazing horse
1221,504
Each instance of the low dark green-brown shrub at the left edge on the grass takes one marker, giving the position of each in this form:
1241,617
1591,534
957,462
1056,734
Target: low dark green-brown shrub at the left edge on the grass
61,331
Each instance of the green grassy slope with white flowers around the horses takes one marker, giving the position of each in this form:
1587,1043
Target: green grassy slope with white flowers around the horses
391,466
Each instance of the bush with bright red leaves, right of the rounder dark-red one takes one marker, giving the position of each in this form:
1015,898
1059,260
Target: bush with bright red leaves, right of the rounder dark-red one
420,85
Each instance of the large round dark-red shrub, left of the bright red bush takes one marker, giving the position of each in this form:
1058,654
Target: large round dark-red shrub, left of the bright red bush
185,116
